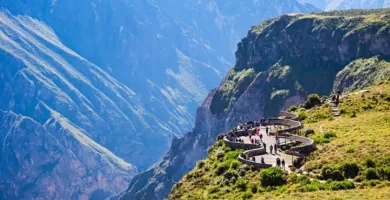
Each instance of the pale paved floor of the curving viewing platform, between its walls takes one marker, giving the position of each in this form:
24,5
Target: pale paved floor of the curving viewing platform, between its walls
270,140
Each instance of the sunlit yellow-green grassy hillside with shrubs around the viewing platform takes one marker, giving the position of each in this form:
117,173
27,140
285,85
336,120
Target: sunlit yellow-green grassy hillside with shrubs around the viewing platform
351,162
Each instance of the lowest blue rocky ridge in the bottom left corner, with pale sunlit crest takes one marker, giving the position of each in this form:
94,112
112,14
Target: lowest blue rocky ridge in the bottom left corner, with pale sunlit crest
55,162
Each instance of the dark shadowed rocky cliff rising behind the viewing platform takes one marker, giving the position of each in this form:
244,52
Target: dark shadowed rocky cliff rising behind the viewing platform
279,63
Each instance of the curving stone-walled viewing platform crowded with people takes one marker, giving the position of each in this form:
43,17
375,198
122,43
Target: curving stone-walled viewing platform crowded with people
257,138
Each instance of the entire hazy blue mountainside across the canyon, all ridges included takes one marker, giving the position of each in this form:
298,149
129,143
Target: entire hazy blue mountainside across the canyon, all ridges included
106,80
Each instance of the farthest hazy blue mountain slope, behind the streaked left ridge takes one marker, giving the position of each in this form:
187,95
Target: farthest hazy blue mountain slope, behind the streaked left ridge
169,61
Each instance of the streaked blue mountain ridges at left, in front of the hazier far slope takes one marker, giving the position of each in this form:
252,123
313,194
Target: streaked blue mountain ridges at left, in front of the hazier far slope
44,84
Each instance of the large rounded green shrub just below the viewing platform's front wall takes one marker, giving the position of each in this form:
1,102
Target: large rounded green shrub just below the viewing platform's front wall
272,177
